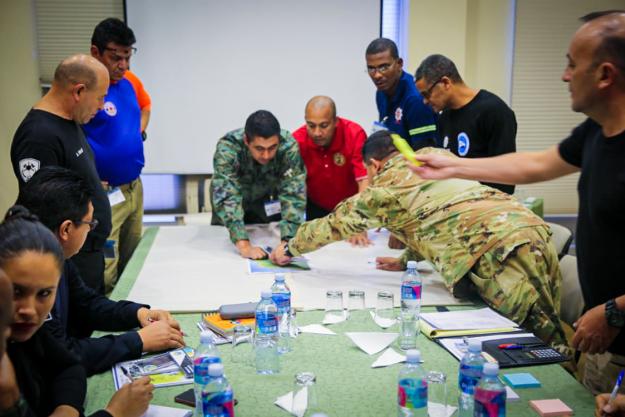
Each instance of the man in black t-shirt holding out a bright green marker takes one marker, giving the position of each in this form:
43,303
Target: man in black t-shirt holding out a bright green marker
596,78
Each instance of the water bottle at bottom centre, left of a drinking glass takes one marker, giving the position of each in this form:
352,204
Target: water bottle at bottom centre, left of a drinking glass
412,388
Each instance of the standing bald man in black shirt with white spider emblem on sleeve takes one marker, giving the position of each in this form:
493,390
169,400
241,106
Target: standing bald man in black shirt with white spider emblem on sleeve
50,135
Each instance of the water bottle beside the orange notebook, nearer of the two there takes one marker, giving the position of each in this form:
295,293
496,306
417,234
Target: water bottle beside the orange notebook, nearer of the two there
265,343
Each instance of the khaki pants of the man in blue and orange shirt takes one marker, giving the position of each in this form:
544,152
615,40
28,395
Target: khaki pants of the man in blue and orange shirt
127,218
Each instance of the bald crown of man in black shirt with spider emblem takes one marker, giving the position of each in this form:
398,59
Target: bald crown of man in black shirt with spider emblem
79,69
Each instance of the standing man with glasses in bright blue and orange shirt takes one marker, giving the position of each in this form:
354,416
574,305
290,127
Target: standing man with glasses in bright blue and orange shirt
116,136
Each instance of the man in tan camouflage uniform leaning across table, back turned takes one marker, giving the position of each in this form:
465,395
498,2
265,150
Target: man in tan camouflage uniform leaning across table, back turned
468,231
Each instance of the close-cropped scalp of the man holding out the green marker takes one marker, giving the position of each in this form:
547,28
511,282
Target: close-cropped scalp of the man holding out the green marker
608,28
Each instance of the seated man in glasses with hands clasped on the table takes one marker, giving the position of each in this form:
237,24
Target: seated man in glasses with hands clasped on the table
61,200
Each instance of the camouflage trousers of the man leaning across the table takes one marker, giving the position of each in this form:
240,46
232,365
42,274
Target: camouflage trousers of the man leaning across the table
520,278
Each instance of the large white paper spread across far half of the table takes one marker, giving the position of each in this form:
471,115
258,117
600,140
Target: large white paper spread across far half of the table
200,261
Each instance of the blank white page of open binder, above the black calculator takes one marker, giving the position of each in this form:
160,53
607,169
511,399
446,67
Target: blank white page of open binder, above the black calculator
483,318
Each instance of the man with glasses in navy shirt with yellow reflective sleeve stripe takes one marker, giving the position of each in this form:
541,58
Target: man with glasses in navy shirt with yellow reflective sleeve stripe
400,106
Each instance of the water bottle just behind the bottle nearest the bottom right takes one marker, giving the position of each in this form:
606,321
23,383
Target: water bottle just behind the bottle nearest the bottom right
469,375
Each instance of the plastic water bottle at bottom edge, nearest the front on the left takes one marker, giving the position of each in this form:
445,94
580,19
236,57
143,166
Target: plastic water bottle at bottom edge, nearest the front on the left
217,396
